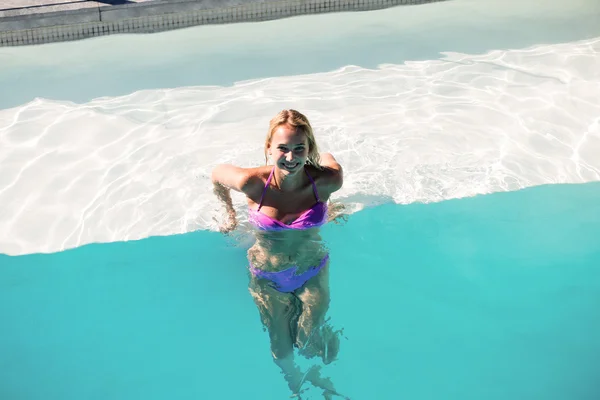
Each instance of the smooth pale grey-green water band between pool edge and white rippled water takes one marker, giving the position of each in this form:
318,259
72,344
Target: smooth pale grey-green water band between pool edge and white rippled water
221,55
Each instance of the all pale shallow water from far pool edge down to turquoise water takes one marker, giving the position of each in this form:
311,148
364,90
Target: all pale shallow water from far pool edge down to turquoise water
99,142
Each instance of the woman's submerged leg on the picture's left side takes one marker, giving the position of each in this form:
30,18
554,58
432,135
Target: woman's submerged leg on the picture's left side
279,314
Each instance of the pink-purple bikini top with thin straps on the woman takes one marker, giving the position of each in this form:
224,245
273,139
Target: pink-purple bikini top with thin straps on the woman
313,217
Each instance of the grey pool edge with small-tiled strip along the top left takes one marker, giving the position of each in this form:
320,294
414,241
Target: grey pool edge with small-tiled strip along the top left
162,15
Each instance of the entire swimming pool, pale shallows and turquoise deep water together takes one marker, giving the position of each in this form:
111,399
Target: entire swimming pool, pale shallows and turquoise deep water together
468,267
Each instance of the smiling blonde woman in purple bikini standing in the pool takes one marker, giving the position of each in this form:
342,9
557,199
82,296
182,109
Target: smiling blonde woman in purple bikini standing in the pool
289,264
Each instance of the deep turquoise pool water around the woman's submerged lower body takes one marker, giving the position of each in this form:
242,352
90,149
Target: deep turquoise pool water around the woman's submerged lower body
490,297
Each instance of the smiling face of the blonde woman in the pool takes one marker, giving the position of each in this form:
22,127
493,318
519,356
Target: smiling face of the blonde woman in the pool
289,148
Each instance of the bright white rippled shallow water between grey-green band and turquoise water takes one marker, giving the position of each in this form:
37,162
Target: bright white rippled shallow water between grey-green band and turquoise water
127,167
